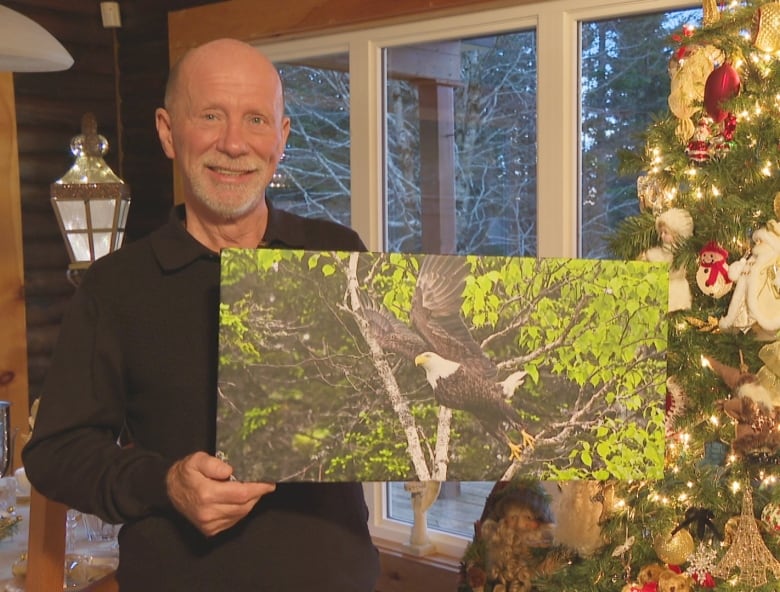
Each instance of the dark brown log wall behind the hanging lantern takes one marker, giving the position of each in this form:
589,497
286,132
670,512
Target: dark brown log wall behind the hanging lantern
119,75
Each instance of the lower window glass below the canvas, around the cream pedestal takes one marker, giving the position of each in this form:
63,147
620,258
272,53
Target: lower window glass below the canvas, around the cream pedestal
456,509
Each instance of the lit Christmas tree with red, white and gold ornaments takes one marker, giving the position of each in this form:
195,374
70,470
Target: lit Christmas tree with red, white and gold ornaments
708,184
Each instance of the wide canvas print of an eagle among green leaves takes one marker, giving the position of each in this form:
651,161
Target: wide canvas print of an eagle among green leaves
339,366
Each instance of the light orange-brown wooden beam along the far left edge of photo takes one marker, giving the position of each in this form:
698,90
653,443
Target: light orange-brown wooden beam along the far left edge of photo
13,329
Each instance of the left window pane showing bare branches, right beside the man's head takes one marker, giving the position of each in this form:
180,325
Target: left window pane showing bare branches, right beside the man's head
313,177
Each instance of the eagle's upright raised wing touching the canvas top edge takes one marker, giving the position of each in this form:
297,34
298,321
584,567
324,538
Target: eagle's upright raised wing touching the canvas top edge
436,316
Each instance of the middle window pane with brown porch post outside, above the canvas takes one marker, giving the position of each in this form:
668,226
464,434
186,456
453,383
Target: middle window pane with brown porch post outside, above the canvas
461,146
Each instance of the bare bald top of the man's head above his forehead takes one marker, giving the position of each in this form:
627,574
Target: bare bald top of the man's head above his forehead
217,55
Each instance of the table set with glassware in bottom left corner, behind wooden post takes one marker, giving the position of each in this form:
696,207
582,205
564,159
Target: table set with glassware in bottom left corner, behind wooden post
89,560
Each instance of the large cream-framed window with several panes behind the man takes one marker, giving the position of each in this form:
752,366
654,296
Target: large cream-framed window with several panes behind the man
573,80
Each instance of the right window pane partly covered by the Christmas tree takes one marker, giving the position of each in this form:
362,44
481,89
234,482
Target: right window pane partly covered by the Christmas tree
625,80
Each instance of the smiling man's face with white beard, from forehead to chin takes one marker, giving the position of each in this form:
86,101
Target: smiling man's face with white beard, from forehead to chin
227,131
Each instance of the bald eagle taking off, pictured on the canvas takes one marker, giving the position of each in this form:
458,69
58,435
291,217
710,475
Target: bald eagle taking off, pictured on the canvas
461,375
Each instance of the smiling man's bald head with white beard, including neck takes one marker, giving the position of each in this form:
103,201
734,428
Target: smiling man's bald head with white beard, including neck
224,127
